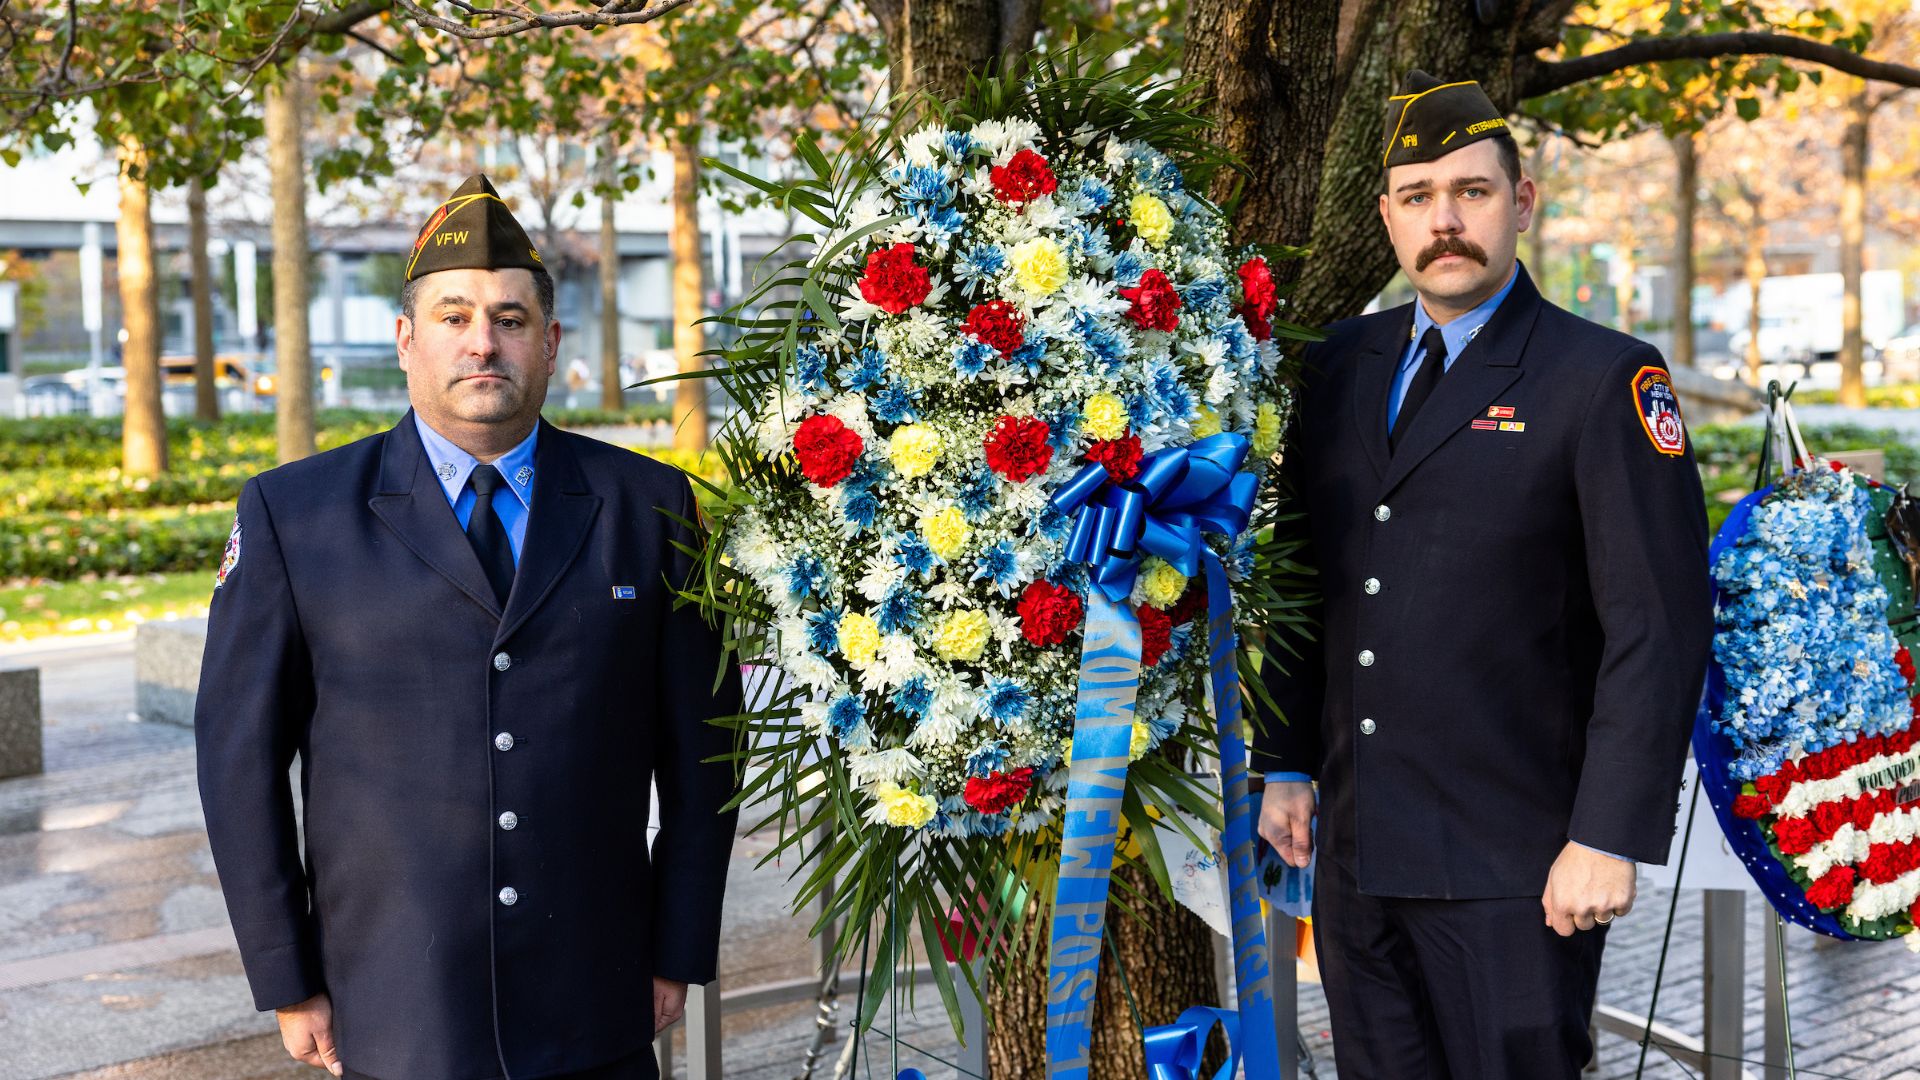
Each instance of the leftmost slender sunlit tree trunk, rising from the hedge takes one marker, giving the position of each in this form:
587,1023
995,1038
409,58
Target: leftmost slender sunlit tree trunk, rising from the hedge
145,426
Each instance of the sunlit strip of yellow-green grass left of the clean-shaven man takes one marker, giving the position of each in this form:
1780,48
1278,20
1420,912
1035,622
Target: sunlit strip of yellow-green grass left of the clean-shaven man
47,608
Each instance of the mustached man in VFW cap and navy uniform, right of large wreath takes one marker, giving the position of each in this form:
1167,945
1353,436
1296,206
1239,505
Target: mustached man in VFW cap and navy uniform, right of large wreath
1512,547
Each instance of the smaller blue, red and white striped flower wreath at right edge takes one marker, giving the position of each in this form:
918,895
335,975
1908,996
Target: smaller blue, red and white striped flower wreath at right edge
1806,737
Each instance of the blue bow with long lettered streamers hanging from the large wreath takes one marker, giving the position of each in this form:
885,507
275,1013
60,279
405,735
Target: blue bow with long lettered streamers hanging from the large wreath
1178,497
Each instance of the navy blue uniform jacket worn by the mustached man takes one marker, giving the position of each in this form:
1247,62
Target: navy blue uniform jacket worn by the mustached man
1516,610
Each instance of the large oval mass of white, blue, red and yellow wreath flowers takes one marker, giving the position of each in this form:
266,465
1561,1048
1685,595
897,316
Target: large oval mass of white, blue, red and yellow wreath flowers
1017,308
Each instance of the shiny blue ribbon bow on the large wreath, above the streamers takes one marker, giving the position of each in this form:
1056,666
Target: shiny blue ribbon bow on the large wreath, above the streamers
1180,495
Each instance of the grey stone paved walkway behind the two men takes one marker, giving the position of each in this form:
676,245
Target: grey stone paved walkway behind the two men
116,962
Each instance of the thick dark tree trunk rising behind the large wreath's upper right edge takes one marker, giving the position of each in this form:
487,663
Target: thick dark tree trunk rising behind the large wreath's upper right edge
1268,66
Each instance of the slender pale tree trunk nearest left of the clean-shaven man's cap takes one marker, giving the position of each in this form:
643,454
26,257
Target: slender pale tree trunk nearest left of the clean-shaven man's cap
291,289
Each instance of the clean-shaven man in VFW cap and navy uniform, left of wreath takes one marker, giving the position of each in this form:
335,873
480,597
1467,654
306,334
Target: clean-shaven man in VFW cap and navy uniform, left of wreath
466,633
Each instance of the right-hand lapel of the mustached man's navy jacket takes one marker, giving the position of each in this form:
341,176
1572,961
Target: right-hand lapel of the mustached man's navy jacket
1483,370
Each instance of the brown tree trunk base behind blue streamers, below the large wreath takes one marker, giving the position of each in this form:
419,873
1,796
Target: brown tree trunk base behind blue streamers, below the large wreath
1168,966
